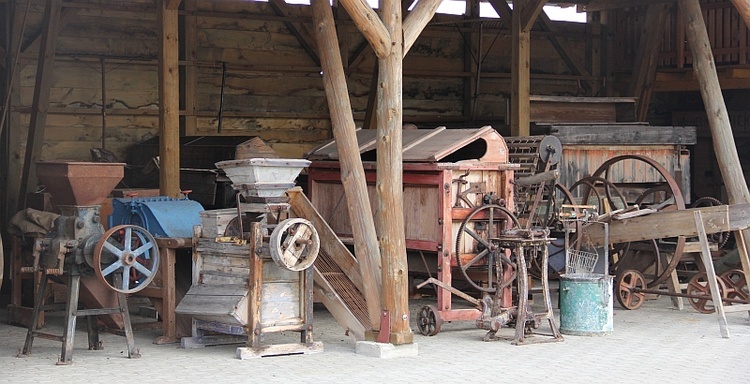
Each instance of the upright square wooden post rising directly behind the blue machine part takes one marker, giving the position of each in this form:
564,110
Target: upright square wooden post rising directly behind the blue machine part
169,102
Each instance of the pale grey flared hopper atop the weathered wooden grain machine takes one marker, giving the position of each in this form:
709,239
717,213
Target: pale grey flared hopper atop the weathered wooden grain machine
263,177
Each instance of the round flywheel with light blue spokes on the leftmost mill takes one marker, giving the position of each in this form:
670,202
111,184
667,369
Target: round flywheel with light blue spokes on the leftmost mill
127,251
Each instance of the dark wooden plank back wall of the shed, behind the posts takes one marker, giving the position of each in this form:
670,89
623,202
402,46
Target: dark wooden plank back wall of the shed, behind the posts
273,87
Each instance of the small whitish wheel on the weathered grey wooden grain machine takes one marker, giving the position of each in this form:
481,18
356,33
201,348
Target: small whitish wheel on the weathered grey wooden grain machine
294,244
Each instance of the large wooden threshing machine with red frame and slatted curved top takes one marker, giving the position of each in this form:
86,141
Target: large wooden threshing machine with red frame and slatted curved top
453,179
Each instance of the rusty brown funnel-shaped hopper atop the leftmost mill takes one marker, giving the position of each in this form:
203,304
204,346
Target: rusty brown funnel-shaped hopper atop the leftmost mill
77,182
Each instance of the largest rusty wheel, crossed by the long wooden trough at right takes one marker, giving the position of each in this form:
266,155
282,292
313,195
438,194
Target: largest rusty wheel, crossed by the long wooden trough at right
664,195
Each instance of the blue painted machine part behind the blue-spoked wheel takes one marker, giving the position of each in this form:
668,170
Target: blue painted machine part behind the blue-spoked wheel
162,216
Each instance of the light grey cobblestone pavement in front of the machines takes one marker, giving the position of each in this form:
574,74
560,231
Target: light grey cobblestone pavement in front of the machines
652,344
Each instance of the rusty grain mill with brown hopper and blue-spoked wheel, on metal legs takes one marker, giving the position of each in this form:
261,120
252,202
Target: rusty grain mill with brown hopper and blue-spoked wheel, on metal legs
124,259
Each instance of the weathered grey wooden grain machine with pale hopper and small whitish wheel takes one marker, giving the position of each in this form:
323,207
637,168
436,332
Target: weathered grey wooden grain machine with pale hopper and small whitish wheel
256,280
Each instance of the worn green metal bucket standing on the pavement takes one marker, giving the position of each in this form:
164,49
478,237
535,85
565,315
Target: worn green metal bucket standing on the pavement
586,304
